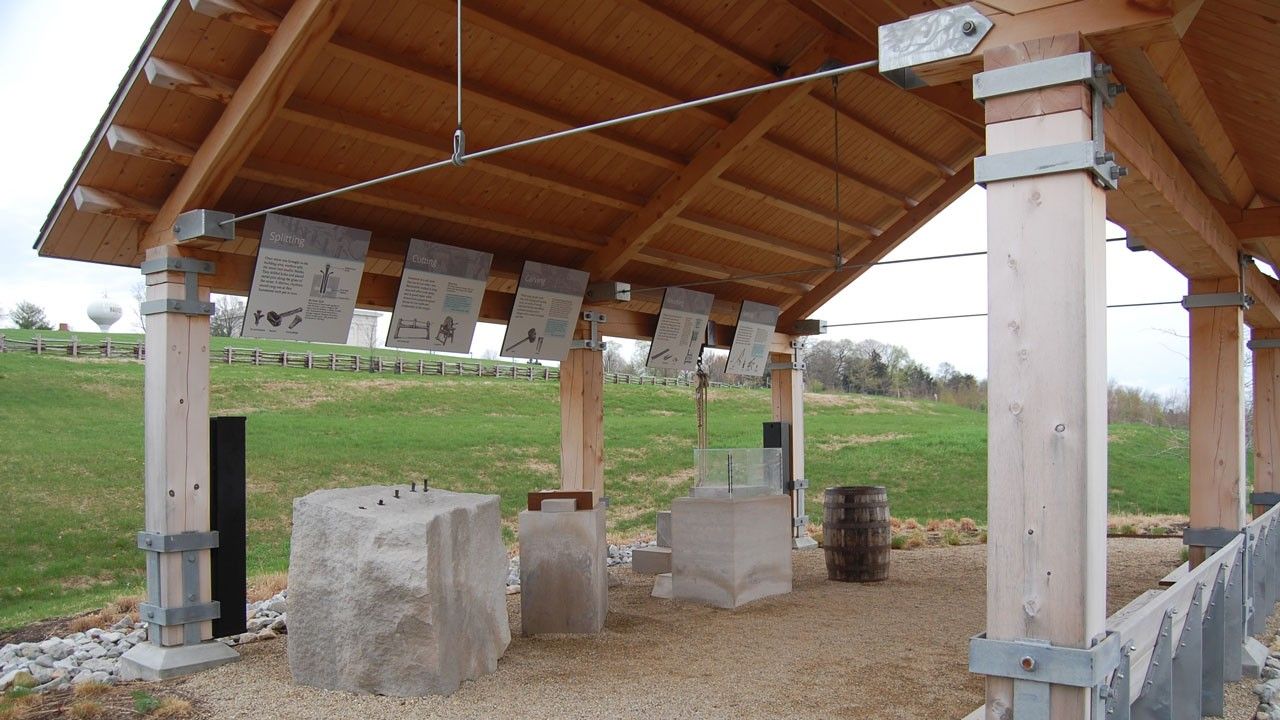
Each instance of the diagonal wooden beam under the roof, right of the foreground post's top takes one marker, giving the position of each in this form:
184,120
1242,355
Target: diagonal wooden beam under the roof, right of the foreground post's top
1163,83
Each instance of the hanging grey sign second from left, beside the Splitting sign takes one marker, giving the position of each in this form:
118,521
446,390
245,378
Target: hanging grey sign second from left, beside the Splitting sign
438,304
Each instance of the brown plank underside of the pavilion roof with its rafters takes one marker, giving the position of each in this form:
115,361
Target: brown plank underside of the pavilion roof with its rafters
300,97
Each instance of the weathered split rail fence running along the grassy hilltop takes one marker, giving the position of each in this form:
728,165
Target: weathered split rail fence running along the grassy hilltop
326,362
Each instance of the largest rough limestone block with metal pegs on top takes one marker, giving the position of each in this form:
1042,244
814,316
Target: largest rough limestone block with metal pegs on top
408,599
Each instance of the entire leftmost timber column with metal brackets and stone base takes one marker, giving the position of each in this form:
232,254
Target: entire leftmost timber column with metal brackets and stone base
177,540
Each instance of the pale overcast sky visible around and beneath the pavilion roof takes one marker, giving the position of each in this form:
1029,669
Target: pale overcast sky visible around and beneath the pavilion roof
63,60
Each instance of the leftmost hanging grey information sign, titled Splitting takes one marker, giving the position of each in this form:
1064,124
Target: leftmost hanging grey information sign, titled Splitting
307,280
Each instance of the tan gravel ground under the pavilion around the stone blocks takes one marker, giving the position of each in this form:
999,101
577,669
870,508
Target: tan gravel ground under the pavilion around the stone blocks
893,650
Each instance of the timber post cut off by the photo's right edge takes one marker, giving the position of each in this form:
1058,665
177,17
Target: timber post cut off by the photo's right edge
1265,345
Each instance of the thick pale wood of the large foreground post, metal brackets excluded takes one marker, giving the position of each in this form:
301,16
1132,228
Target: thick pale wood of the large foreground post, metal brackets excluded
1048,435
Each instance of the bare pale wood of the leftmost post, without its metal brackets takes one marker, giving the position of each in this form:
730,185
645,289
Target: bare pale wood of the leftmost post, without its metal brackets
176,446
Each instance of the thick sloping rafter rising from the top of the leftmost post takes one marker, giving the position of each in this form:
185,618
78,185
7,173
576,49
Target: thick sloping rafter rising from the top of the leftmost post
303,34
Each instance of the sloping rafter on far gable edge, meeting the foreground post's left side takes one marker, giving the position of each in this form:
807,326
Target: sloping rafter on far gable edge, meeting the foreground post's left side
908,224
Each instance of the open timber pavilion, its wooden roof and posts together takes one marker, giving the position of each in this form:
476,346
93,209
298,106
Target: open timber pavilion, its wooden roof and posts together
234,106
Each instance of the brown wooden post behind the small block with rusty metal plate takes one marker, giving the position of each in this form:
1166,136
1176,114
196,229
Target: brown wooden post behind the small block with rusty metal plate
583,421
